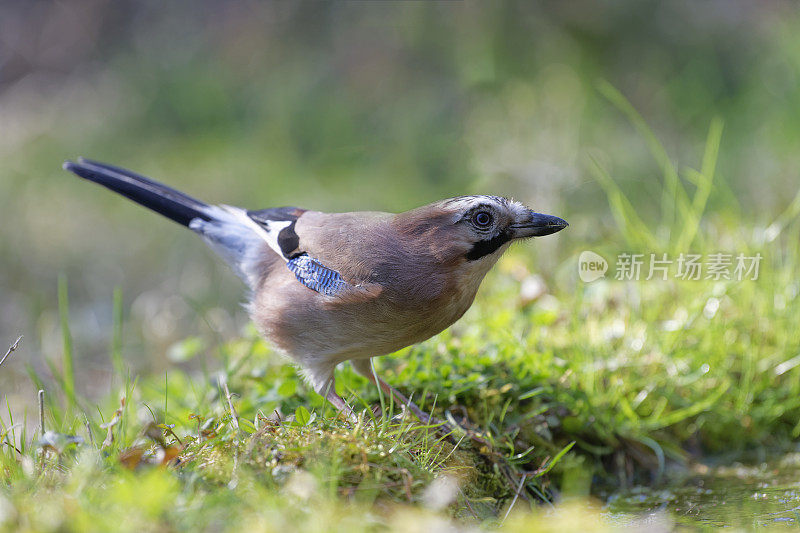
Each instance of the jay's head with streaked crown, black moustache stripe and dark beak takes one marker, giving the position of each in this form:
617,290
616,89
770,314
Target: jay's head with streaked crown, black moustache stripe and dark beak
476,230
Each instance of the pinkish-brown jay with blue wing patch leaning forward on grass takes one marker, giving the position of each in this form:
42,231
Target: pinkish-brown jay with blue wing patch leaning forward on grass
325,288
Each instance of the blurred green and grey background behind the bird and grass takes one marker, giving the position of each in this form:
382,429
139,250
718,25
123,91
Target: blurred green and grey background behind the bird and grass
351,106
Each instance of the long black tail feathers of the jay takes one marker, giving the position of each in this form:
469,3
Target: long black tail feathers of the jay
173,204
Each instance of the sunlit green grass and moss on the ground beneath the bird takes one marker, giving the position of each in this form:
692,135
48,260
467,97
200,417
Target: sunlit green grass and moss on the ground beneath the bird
585,387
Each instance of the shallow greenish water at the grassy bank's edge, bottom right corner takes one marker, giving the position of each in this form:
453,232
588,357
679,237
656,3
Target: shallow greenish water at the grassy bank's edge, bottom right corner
738,496
